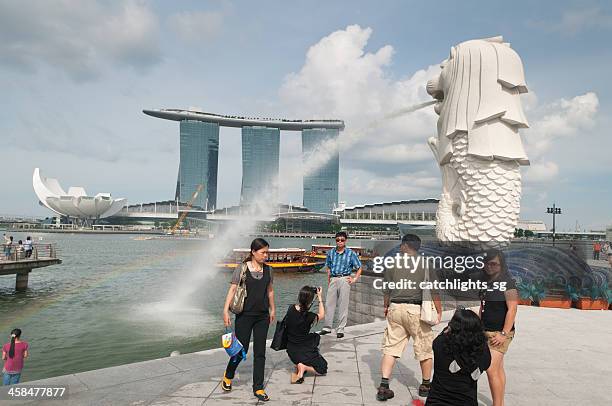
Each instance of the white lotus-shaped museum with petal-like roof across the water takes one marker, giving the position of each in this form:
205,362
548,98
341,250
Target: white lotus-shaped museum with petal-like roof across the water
74,203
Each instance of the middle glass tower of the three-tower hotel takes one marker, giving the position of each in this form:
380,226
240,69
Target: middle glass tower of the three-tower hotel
260,157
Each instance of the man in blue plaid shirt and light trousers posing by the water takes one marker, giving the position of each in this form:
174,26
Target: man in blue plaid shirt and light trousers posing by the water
340,263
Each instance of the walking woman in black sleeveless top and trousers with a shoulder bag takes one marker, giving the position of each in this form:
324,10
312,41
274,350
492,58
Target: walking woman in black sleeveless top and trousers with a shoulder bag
257,314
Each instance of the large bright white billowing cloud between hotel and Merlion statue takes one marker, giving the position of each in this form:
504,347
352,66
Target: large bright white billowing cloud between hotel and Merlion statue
340,79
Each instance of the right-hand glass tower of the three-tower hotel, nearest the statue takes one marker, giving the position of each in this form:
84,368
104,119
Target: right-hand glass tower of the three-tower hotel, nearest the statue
320,184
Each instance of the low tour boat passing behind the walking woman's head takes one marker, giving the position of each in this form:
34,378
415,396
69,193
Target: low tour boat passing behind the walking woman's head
280,259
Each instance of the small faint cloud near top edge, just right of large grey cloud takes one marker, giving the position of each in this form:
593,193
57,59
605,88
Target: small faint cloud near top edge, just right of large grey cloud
196,26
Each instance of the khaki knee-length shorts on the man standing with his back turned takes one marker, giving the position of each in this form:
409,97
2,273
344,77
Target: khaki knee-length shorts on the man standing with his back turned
403,322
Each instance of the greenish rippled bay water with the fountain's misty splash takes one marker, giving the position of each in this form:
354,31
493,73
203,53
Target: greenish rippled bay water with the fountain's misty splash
110,302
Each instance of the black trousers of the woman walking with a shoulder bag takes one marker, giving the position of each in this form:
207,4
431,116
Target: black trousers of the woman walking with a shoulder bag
258,326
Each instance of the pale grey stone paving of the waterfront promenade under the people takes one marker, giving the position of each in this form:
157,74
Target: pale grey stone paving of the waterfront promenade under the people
559,357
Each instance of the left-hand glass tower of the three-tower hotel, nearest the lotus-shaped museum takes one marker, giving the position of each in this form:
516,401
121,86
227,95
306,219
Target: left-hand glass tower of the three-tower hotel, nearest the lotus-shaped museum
199,157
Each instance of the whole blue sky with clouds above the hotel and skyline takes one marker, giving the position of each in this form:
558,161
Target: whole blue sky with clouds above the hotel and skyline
75,76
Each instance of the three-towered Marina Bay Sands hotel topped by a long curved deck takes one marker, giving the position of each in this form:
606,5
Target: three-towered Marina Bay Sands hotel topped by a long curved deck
199,156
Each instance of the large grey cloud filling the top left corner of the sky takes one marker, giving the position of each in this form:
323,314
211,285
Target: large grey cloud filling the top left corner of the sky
78,37
